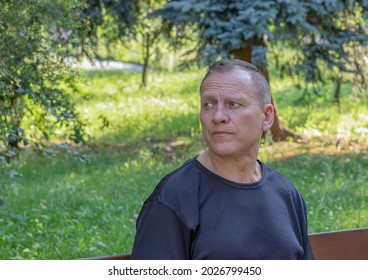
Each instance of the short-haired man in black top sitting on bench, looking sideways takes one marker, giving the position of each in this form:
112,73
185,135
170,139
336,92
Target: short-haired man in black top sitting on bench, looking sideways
225,203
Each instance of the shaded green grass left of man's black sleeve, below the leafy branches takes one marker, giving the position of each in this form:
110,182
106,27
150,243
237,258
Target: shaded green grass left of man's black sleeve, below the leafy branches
74,210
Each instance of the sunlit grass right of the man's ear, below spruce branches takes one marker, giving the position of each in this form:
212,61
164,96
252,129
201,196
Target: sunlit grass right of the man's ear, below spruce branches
321,116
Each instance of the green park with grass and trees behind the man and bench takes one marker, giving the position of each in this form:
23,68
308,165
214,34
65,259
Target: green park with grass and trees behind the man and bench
81,149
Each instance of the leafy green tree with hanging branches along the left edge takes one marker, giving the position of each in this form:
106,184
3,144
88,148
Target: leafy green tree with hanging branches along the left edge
34,76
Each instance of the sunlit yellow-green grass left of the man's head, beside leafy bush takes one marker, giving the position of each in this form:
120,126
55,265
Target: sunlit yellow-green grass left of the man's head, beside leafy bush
121,111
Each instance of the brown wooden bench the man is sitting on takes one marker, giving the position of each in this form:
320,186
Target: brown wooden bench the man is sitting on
335,245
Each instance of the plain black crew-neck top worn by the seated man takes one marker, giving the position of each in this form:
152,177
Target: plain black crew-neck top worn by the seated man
195,214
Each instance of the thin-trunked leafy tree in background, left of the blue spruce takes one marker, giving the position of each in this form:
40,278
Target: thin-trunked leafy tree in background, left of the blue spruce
126,20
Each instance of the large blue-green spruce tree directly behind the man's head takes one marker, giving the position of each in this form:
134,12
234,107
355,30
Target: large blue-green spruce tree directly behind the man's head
245,29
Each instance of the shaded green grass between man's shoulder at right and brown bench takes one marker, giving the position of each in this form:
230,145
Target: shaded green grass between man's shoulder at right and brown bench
334,187
